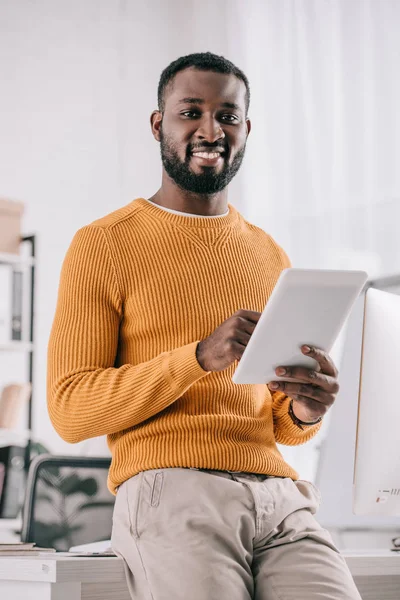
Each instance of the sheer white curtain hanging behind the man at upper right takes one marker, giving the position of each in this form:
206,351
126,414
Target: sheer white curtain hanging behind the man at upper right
322,171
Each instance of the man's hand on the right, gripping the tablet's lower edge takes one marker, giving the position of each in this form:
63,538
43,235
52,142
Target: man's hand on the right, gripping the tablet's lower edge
316,395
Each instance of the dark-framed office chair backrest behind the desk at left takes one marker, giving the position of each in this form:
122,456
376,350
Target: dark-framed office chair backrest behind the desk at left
67,502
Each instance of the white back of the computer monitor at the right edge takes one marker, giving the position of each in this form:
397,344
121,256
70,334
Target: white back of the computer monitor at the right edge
376,481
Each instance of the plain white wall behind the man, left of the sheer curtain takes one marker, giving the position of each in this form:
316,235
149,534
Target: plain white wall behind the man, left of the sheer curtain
79,82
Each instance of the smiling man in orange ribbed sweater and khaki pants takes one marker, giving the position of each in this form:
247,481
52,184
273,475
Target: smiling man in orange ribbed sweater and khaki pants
157,303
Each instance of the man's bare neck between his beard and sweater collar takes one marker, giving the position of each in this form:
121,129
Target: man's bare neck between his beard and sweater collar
171,196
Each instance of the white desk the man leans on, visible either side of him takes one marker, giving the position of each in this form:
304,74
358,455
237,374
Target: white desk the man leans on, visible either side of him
377,575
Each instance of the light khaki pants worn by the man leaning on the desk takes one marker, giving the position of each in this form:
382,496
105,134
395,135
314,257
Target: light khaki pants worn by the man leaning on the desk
189,534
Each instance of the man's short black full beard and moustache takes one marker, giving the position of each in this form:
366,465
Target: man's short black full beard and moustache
209,181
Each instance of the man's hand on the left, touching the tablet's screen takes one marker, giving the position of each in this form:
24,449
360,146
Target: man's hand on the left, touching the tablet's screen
228,342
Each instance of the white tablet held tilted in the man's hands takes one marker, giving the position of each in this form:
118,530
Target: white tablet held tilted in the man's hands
307,306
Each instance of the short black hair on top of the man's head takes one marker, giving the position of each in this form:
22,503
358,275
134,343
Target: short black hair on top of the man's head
203,61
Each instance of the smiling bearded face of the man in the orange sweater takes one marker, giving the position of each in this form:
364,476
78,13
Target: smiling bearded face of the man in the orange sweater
203,130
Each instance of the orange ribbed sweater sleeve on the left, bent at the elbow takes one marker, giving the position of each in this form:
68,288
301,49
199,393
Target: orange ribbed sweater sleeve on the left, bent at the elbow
86,395
